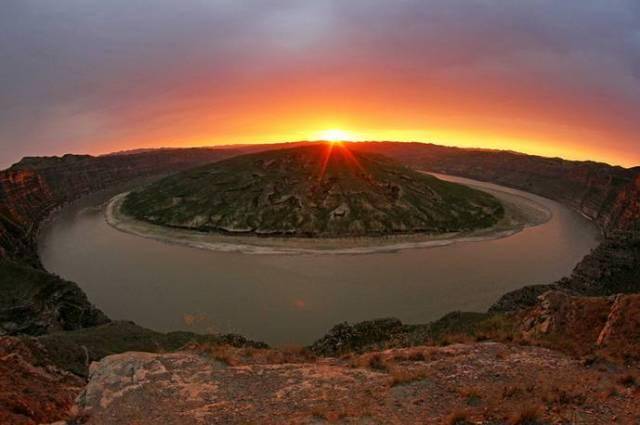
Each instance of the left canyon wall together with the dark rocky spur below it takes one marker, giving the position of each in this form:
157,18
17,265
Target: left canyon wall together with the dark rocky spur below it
33,301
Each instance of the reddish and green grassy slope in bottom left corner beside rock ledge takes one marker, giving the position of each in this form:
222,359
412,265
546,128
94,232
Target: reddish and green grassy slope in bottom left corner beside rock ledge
40,377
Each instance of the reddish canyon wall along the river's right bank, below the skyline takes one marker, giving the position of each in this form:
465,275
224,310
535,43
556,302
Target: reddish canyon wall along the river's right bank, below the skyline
607,194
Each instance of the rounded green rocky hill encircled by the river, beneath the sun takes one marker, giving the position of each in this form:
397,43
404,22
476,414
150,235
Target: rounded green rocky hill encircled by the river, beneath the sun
319,189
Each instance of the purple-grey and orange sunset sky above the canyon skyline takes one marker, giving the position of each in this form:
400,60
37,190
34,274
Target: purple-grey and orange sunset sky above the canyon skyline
555,78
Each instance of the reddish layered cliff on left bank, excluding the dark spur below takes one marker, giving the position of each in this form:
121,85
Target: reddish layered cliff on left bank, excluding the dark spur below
31,189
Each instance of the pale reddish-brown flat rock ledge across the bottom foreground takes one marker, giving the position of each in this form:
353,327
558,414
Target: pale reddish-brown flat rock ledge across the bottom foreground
482,383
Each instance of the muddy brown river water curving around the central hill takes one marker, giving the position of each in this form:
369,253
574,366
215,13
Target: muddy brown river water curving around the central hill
283,299
